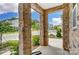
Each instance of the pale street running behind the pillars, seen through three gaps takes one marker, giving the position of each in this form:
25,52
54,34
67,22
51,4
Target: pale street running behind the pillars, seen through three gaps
15,36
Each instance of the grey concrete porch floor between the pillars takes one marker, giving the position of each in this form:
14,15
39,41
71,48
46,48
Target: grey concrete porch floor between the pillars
49,50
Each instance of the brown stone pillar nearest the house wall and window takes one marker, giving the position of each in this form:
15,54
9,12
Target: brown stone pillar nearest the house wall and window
66,19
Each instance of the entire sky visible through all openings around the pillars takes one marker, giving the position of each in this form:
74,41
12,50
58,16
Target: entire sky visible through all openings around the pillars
9,10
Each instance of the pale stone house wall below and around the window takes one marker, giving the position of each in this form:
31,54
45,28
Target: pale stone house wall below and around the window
74,38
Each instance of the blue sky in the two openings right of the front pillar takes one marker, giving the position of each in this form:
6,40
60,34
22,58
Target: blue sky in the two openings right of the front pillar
53,18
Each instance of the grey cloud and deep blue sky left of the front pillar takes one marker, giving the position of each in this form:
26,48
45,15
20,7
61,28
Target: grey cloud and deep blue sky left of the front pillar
8,10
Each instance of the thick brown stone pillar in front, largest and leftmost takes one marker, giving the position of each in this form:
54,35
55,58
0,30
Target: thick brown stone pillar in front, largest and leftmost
25,28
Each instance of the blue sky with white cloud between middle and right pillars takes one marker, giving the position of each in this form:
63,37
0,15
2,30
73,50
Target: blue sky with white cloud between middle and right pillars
55,18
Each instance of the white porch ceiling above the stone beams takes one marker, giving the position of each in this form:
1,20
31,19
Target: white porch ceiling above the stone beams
49,5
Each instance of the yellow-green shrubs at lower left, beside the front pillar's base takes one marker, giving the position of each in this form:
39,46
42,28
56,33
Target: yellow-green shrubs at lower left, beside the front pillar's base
13,45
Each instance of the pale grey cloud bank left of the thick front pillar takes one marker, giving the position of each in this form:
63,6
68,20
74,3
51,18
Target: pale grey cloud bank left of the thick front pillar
8,7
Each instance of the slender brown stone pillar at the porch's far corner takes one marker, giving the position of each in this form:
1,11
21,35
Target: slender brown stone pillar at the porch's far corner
44,29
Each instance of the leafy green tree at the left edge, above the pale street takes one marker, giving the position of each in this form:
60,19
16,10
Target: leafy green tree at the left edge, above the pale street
6,27
